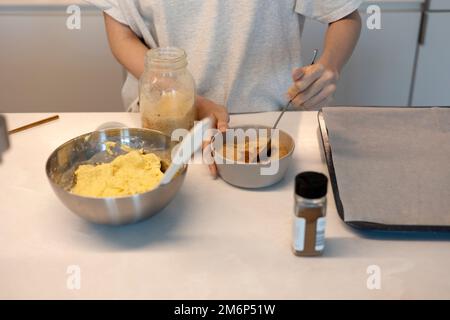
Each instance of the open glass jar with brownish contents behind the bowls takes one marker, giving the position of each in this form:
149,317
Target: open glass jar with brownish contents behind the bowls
167,91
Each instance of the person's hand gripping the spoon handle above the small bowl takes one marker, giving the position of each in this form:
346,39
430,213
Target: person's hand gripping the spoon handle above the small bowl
313,85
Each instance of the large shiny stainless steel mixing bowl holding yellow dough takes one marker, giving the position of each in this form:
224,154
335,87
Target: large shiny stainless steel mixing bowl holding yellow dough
91,148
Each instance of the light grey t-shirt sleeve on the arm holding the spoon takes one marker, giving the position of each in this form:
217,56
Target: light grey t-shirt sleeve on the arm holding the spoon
326,11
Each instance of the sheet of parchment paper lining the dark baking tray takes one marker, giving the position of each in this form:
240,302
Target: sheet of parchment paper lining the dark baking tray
392,164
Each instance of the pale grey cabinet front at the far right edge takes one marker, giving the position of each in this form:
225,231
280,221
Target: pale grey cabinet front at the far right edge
432,82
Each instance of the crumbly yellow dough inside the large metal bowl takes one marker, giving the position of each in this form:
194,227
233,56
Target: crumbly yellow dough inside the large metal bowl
128,174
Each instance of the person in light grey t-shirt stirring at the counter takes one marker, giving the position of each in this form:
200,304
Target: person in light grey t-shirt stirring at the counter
245,56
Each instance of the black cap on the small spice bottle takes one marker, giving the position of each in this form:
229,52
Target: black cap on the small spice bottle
311,185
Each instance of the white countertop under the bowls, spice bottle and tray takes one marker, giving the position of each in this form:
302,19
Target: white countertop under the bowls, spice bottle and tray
213,241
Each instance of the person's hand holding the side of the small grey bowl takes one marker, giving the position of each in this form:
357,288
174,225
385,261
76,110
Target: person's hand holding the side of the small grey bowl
219,114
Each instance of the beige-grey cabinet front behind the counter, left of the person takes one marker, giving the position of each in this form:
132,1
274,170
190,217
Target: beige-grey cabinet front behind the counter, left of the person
47,67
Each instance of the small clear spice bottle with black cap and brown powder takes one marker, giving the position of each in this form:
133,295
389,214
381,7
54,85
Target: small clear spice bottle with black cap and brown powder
310,213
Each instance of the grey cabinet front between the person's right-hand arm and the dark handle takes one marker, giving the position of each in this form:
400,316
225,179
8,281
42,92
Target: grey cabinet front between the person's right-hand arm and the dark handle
381,69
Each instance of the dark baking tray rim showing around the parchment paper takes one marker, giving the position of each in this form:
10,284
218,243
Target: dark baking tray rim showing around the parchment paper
361,225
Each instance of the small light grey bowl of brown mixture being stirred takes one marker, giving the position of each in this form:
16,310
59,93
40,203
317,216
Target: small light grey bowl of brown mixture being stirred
249,175
